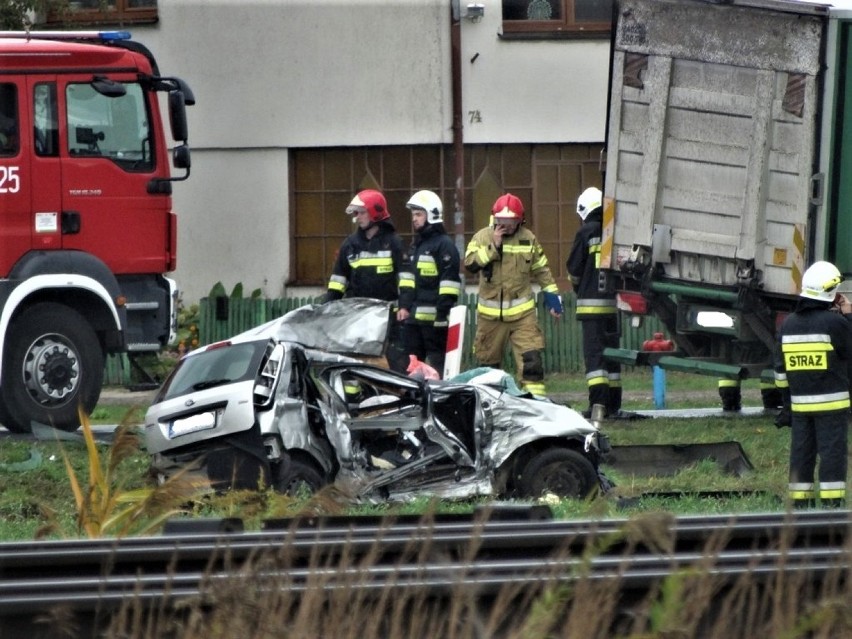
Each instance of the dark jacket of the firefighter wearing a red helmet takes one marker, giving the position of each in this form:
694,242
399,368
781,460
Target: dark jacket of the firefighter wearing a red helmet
368,267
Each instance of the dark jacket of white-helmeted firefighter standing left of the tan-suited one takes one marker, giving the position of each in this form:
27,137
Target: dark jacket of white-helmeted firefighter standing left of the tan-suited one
430,284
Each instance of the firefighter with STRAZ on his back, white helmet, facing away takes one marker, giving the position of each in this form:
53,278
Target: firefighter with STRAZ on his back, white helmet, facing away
812,369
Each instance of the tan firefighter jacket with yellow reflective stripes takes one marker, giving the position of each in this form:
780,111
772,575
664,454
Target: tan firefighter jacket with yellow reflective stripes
504,273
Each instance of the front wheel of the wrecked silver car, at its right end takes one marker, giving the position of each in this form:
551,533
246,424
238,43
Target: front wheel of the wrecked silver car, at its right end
559,471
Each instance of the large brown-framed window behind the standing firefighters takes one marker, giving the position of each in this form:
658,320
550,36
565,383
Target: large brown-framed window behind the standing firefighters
547,178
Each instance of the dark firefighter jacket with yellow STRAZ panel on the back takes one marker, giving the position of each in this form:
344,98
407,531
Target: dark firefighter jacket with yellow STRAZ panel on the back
812,359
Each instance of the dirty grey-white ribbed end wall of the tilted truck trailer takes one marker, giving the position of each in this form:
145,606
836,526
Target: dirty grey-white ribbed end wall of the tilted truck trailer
712,139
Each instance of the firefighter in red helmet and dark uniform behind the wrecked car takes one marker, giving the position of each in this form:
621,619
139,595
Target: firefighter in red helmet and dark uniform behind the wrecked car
369,262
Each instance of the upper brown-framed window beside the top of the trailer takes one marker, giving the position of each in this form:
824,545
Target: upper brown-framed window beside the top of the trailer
557,17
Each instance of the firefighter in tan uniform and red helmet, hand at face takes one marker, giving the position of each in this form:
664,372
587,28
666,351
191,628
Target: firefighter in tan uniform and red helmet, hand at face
506,256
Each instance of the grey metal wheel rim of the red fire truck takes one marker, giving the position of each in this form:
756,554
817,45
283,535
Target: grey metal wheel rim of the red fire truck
51,370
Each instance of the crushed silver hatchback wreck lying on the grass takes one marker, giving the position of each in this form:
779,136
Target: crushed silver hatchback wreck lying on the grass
288,405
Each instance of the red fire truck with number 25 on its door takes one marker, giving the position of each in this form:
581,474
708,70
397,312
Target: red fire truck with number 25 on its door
87,229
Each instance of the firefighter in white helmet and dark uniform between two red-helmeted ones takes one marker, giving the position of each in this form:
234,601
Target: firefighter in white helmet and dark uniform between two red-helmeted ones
430,283
